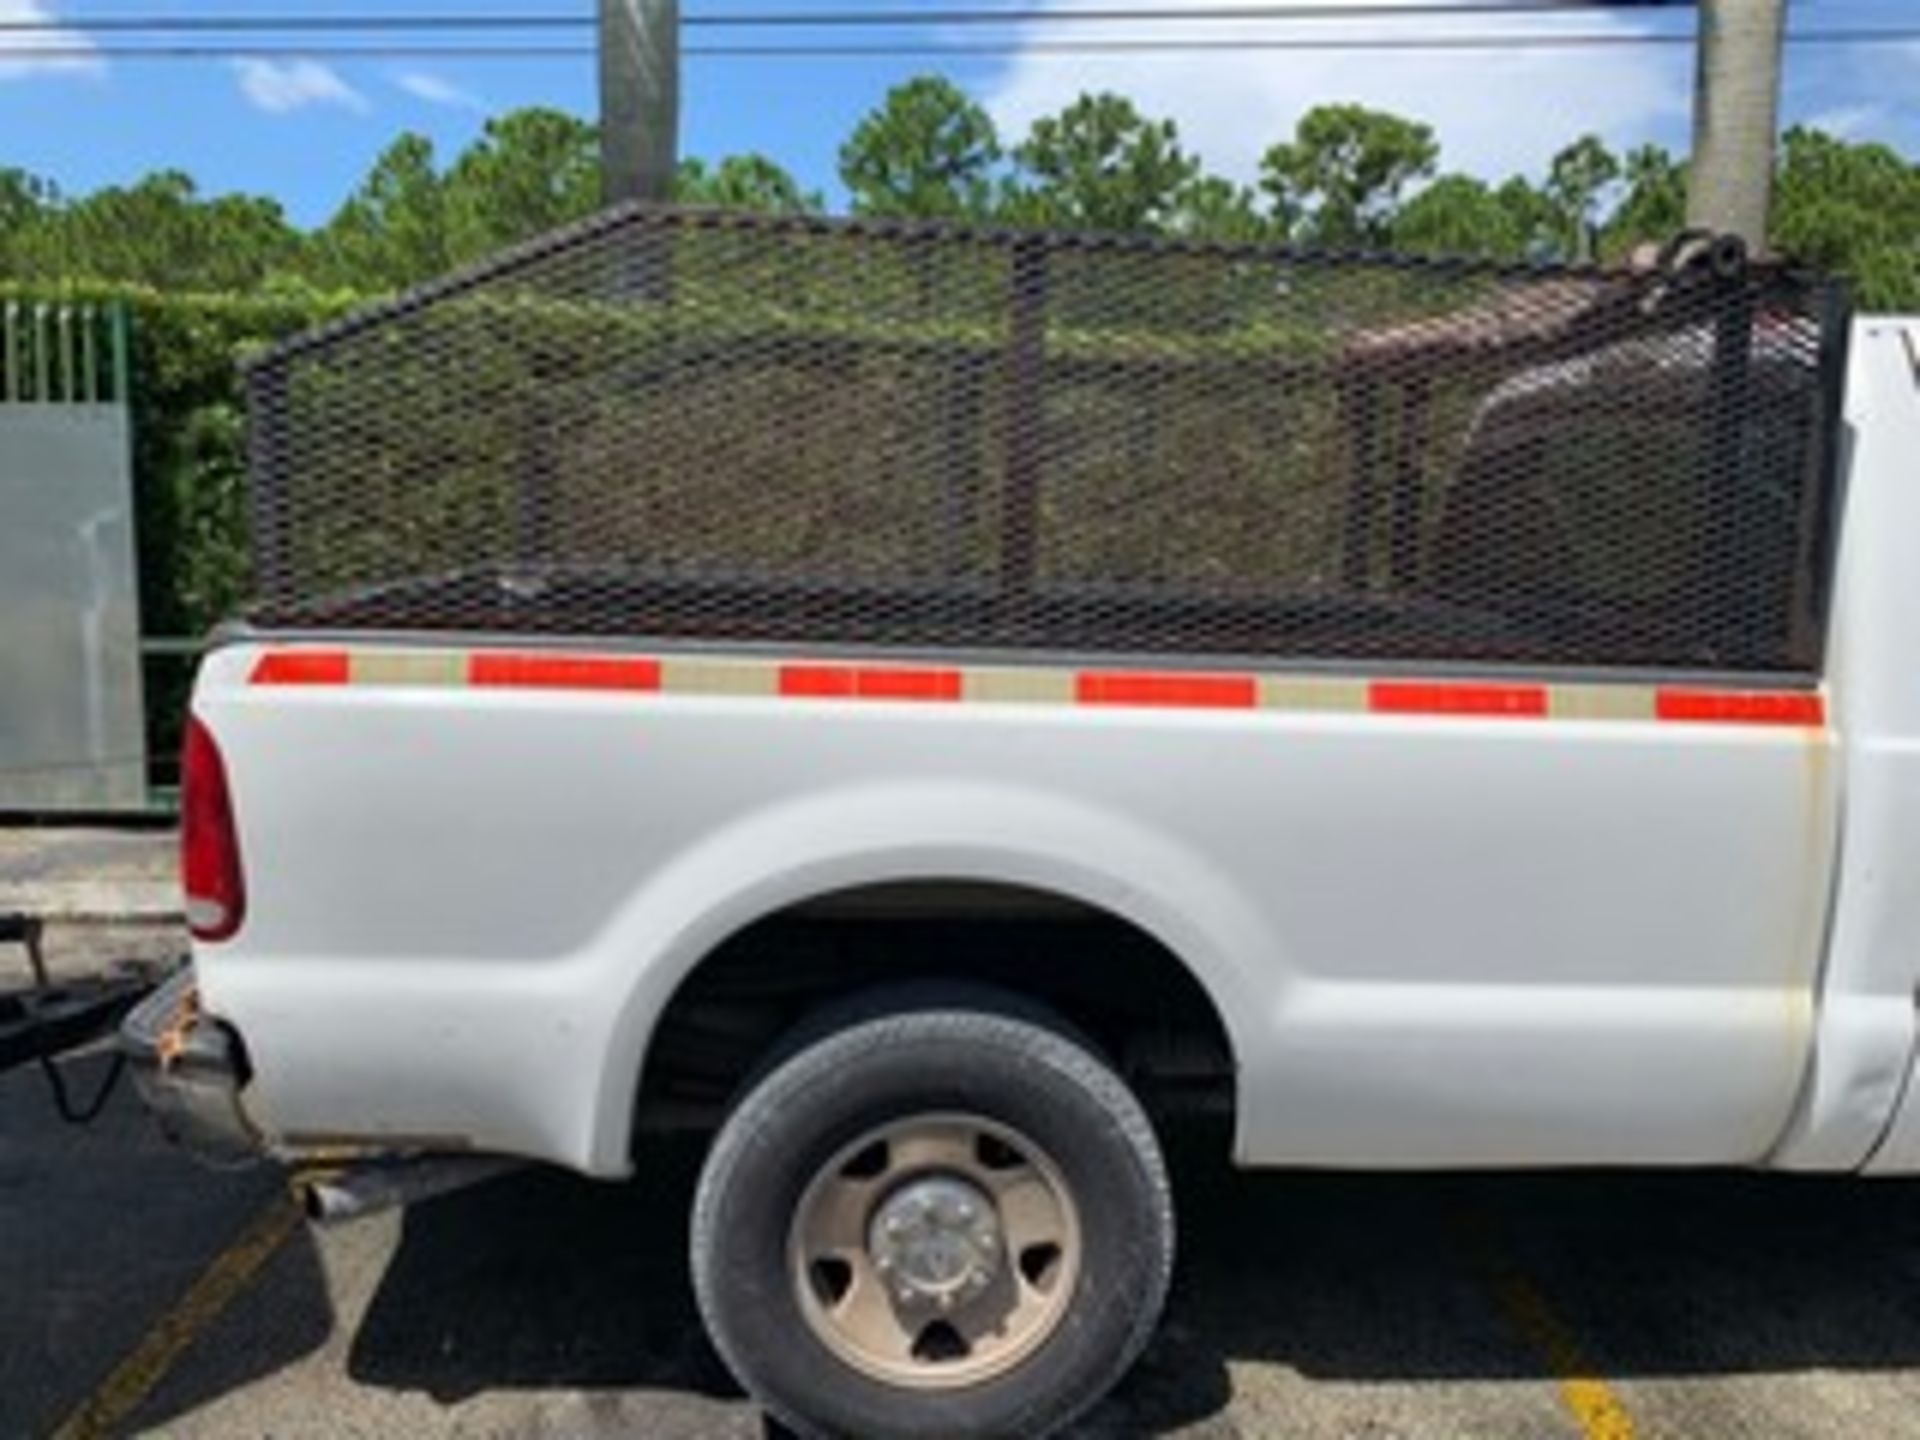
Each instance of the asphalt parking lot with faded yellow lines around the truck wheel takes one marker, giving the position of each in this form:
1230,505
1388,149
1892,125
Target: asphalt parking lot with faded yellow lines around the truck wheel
145,1295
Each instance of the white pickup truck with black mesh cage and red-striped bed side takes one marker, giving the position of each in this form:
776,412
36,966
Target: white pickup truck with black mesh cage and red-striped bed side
1431,715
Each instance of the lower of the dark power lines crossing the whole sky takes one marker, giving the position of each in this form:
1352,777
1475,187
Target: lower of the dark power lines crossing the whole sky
934,51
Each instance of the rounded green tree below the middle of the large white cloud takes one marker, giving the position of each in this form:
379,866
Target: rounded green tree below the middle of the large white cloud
1339,181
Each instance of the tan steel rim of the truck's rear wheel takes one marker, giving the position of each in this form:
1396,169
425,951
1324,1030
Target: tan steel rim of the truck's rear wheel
936,1251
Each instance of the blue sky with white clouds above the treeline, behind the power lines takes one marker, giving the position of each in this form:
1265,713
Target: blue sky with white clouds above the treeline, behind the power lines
306,130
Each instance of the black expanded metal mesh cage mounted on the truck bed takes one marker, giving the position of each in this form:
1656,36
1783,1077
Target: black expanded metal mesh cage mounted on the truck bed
719,427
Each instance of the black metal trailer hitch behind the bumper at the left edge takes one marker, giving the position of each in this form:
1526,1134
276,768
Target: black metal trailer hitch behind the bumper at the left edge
47,1020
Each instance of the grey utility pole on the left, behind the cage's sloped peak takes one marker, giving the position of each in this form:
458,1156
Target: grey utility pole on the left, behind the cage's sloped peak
640,99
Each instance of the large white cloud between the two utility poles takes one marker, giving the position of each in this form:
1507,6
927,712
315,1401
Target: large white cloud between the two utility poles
1495,112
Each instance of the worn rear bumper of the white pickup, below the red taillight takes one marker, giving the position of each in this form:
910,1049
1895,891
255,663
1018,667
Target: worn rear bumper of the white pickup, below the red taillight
191,1070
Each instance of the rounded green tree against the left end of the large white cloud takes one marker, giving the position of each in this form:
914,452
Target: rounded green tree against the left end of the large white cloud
1099,166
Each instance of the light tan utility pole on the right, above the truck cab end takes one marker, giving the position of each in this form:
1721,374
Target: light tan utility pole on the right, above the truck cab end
1737,114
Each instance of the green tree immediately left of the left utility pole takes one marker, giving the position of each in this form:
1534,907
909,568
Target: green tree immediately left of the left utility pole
529,172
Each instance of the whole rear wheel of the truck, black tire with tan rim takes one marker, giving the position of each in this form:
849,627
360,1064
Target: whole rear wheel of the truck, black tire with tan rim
938,1216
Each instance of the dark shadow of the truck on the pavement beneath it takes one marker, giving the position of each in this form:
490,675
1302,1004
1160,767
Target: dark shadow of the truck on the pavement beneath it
548,1282
